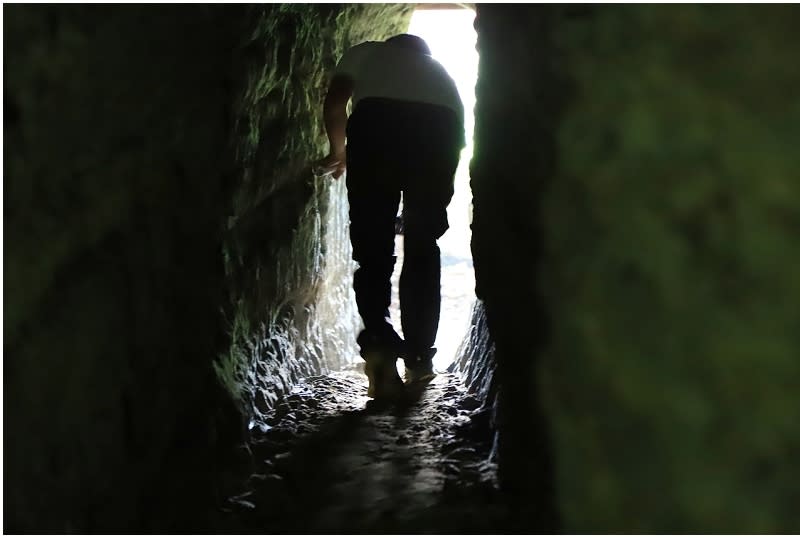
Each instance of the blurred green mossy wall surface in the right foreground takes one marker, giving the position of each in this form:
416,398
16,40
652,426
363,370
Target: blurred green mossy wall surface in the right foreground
671,228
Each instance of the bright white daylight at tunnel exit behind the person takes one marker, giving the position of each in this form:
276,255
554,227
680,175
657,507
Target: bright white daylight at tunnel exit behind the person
452,39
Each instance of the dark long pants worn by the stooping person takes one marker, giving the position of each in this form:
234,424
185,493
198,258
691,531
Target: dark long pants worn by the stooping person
394,147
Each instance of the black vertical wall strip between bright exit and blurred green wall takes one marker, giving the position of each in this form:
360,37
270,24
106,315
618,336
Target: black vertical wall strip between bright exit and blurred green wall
515,121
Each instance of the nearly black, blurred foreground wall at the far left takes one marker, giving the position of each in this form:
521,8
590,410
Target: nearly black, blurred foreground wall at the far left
115,133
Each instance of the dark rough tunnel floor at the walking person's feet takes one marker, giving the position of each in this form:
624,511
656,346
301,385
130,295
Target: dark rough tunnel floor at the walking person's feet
334,462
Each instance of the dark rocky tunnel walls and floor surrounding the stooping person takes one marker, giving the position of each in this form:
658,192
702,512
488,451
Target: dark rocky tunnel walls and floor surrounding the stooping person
179,348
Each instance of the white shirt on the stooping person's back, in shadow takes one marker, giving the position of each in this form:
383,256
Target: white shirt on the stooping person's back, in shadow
387,70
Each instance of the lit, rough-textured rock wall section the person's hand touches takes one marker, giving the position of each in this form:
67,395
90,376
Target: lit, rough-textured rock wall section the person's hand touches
286,247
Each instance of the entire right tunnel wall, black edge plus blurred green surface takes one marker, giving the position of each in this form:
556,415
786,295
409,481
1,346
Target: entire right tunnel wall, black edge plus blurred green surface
643,161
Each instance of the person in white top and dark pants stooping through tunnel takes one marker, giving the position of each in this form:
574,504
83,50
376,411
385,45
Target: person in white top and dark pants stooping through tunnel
404,136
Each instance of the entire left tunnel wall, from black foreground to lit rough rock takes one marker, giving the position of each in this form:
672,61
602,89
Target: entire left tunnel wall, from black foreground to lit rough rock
153,167
